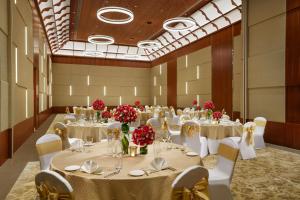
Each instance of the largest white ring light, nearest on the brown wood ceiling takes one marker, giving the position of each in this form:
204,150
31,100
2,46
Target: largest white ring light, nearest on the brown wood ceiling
112,9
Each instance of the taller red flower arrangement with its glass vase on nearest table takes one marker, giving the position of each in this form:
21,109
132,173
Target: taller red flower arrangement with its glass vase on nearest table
125,114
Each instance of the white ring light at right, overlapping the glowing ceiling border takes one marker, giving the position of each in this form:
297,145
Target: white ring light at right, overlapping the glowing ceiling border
187,22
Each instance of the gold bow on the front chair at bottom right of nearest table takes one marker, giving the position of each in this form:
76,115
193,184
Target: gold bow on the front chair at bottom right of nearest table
198,192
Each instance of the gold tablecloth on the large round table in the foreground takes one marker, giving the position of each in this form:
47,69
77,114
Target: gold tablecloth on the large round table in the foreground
156,186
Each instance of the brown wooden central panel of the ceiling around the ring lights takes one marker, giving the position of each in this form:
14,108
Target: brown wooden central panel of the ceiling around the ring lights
149,16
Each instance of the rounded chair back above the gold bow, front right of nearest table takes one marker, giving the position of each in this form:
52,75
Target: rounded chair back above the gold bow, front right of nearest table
190,176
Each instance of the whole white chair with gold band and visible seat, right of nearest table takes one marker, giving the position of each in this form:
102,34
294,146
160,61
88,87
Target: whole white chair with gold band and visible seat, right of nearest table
227,155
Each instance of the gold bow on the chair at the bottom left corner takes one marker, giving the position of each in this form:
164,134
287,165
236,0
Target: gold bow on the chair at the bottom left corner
50,193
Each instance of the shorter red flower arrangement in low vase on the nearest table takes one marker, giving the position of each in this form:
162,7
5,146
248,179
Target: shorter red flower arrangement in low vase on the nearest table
143,135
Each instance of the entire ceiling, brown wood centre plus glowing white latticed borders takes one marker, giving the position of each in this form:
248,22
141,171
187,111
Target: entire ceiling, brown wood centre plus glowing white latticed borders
68,23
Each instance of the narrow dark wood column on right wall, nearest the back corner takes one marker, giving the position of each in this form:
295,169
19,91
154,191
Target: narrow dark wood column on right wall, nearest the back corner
172,83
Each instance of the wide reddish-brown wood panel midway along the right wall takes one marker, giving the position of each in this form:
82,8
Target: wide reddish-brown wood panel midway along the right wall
222,70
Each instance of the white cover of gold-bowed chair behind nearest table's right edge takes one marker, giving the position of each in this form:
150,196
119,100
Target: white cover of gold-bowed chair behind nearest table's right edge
195,142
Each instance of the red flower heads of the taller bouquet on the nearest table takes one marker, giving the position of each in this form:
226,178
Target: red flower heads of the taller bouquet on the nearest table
125,114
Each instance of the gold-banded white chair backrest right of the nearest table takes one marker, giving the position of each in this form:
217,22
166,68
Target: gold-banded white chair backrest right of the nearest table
227,155
